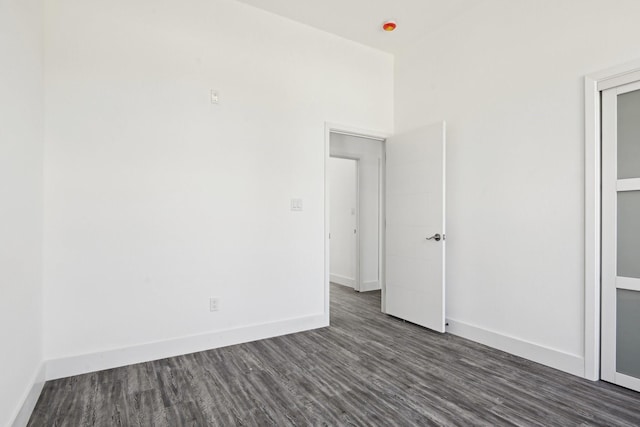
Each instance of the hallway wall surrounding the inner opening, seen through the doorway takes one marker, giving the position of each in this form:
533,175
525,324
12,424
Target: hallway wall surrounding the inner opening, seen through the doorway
369,153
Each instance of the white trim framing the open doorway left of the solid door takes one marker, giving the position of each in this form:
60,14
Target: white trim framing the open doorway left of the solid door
330,127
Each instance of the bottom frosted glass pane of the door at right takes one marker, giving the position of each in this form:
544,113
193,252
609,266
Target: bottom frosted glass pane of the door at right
628,333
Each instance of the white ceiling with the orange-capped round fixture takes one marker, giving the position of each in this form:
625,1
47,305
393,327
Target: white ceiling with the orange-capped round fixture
361,20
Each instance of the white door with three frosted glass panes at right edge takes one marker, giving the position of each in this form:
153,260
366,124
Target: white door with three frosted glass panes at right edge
621,235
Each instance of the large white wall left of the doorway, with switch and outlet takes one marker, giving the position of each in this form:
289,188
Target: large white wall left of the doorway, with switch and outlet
157,200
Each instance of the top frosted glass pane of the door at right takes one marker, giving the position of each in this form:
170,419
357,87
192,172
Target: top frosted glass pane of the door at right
629,135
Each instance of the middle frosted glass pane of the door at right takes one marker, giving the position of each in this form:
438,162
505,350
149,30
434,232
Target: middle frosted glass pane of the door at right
629,234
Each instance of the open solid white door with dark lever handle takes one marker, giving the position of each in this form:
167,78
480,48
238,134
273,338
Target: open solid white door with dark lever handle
415,226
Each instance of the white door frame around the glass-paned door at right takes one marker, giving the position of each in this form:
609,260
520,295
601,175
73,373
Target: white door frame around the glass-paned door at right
593,85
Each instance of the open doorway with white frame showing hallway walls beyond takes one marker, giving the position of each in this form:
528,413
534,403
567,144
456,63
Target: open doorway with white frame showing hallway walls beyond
354,213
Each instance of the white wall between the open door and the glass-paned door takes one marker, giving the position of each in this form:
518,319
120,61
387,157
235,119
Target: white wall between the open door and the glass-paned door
508,78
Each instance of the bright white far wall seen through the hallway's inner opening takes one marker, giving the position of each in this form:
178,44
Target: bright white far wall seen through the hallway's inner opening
343,204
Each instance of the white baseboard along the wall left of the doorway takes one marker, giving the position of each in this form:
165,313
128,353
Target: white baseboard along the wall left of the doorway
82,364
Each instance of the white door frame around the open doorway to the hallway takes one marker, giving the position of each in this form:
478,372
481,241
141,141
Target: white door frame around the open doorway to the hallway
330,128
